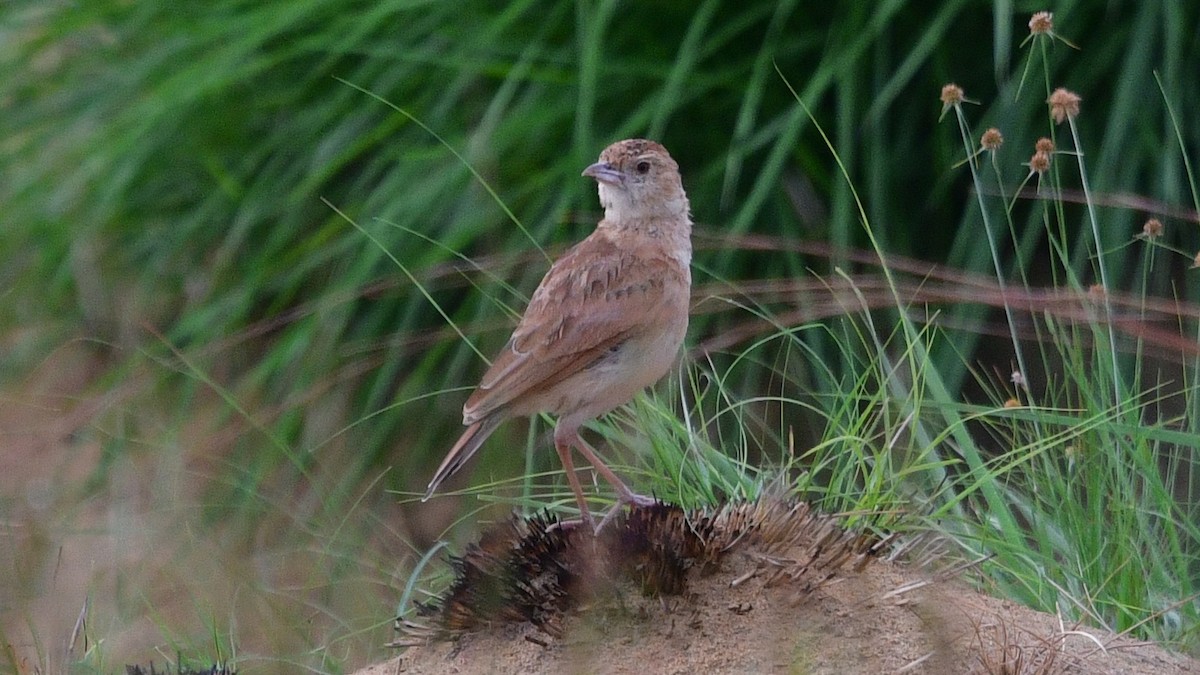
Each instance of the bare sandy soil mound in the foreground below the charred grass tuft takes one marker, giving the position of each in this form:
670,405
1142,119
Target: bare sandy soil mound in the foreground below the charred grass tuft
863,623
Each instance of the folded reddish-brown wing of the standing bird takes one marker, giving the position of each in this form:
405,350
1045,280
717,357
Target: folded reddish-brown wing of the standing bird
595,298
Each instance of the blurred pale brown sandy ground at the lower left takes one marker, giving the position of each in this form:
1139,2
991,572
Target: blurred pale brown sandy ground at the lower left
110,554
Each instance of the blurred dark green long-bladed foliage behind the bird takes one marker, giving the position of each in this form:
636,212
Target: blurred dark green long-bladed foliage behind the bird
167,175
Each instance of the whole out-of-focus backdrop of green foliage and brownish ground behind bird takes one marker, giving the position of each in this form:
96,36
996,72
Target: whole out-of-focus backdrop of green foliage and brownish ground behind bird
251,254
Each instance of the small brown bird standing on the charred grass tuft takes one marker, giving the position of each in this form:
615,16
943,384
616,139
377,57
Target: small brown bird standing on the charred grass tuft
607,321
